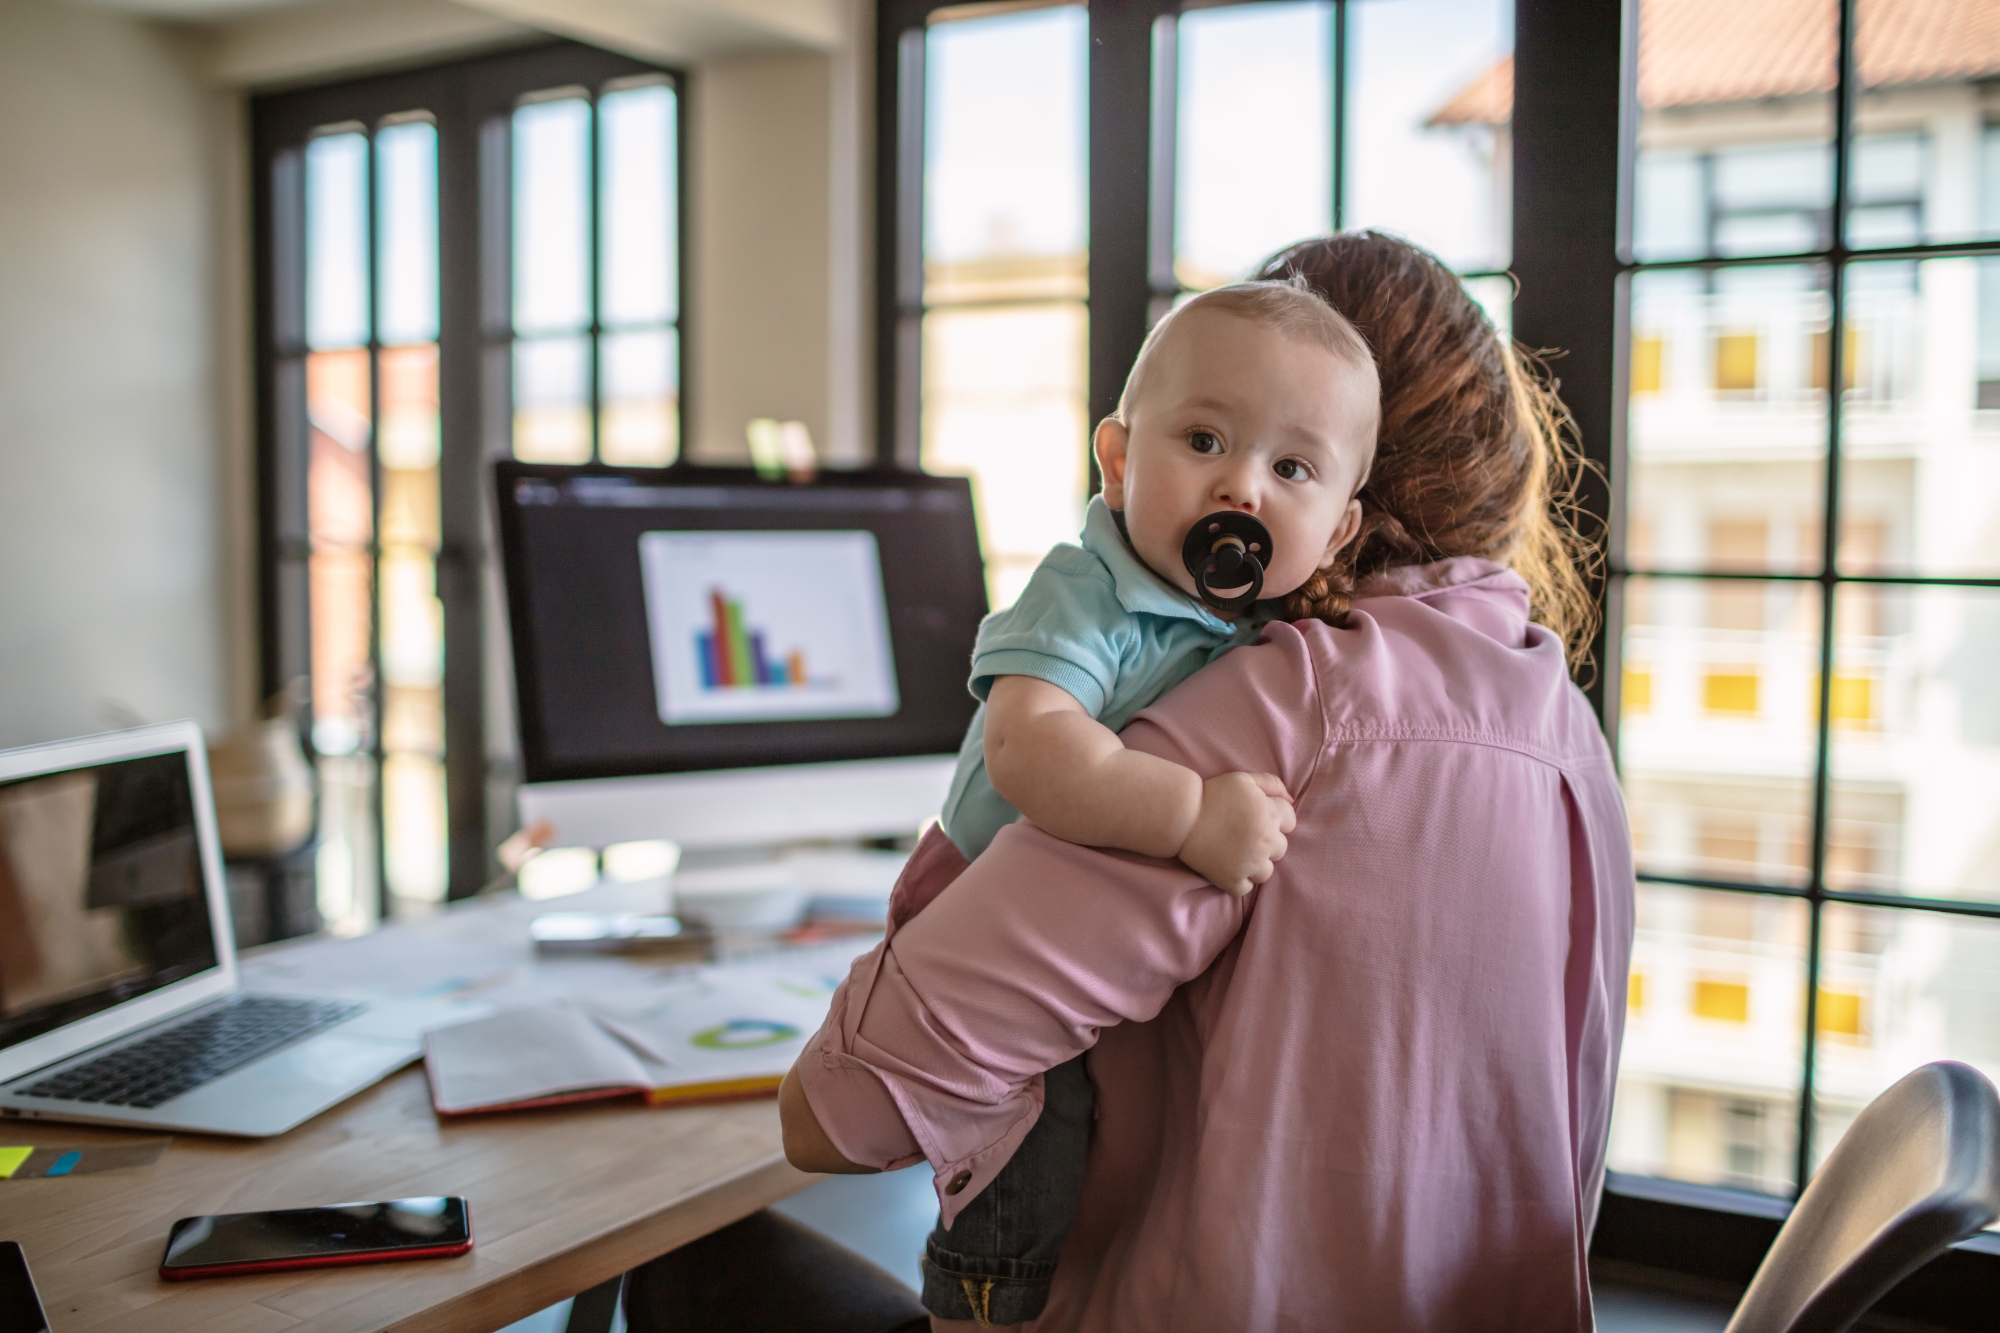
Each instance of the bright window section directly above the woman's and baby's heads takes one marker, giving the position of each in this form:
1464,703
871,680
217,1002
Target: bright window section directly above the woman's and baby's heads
1305,117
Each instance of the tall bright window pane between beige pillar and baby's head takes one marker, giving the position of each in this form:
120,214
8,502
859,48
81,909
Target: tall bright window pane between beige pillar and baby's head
1005,287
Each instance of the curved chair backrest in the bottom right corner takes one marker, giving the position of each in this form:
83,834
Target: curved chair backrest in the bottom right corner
1917,1172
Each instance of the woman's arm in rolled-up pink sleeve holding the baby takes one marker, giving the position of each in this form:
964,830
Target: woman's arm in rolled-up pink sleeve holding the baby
937,1040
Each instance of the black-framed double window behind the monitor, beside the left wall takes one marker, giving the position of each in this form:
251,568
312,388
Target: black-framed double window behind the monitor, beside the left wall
455,265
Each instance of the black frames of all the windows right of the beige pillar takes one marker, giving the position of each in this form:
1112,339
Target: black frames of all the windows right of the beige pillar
1575,129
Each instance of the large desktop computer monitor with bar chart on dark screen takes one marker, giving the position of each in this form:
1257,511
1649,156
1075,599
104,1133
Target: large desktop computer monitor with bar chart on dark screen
717,659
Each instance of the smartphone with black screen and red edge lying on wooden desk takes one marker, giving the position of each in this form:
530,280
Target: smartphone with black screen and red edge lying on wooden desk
339,1234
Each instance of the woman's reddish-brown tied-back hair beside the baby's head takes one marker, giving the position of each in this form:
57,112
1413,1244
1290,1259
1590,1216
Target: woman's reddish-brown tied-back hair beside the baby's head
1475,453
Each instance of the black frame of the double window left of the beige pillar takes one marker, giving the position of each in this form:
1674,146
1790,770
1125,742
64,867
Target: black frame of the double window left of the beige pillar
471,103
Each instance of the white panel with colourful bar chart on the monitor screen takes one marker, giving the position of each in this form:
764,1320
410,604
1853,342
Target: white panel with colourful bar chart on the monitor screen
759,627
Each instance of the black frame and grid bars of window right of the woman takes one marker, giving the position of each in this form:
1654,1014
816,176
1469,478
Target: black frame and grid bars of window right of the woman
1565,57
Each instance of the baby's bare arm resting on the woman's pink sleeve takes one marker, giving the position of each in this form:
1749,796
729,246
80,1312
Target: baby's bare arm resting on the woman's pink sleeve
1075,778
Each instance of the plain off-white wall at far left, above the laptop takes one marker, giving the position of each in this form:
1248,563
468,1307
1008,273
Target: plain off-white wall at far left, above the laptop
113,519
